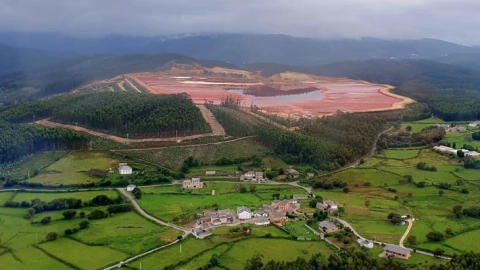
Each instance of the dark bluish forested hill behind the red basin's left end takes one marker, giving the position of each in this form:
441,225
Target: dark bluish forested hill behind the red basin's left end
68,74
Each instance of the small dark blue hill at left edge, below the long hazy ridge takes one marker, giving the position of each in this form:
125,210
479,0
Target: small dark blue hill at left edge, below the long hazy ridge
15,59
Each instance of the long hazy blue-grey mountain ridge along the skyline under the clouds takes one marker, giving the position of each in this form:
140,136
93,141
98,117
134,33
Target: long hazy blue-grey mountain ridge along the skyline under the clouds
243,48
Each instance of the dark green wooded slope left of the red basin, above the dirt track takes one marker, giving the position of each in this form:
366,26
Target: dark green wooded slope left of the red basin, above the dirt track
118,113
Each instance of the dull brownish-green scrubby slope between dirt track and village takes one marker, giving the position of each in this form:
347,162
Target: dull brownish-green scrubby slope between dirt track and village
173,157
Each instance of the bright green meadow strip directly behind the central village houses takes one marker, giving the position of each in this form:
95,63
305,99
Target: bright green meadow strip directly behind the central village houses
161,203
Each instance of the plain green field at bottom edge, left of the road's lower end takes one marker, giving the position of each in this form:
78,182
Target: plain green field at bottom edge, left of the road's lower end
81,255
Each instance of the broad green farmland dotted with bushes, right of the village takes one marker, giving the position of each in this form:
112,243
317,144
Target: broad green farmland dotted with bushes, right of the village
367,207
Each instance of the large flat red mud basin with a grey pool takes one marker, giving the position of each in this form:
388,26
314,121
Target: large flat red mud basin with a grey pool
332,94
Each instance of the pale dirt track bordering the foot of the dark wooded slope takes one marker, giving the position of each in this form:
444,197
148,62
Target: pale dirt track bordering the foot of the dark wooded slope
217,130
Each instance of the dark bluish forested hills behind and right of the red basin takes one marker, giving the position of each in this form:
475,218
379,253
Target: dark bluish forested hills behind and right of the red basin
451,91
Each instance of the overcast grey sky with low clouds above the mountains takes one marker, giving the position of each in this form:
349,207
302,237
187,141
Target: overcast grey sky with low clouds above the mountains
451,20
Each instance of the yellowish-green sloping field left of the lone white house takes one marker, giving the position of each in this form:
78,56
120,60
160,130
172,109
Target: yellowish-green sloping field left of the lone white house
74,168
